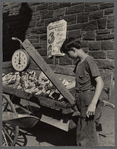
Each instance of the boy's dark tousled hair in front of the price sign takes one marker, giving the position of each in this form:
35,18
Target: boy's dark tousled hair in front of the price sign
69,43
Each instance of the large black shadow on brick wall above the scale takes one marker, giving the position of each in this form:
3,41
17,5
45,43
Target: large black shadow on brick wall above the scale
15,26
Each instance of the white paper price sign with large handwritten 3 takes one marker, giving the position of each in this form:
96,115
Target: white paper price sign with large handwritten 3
56,35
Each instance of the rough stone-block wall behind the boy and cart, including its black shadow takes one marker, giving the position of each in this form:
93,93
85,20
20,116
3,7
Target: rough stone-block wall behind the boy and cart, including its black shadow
92,23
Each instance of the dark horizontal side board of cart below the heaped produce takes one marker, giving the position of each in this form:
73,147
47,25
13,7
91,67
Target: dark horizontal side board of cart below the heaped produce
44,101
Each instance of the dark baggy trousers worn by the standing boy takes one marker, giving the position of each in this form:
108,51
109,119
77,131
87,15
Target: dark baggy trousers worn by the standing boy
86,134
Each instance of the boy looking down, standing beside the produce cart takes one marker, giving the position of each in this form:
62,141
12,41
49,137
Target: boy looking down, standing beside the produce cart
88,84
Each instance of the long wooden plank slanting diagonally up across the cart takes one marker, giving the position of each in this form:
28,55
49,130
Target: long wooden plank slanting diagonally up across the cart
48,71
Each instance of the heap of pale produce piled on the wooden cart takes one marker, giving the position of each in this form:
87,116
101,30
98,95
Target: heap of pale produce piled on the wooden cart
28,81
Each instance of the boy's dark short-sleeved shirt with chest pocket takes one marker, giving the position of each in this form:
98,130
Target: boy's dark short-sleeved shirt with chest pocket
86,72
